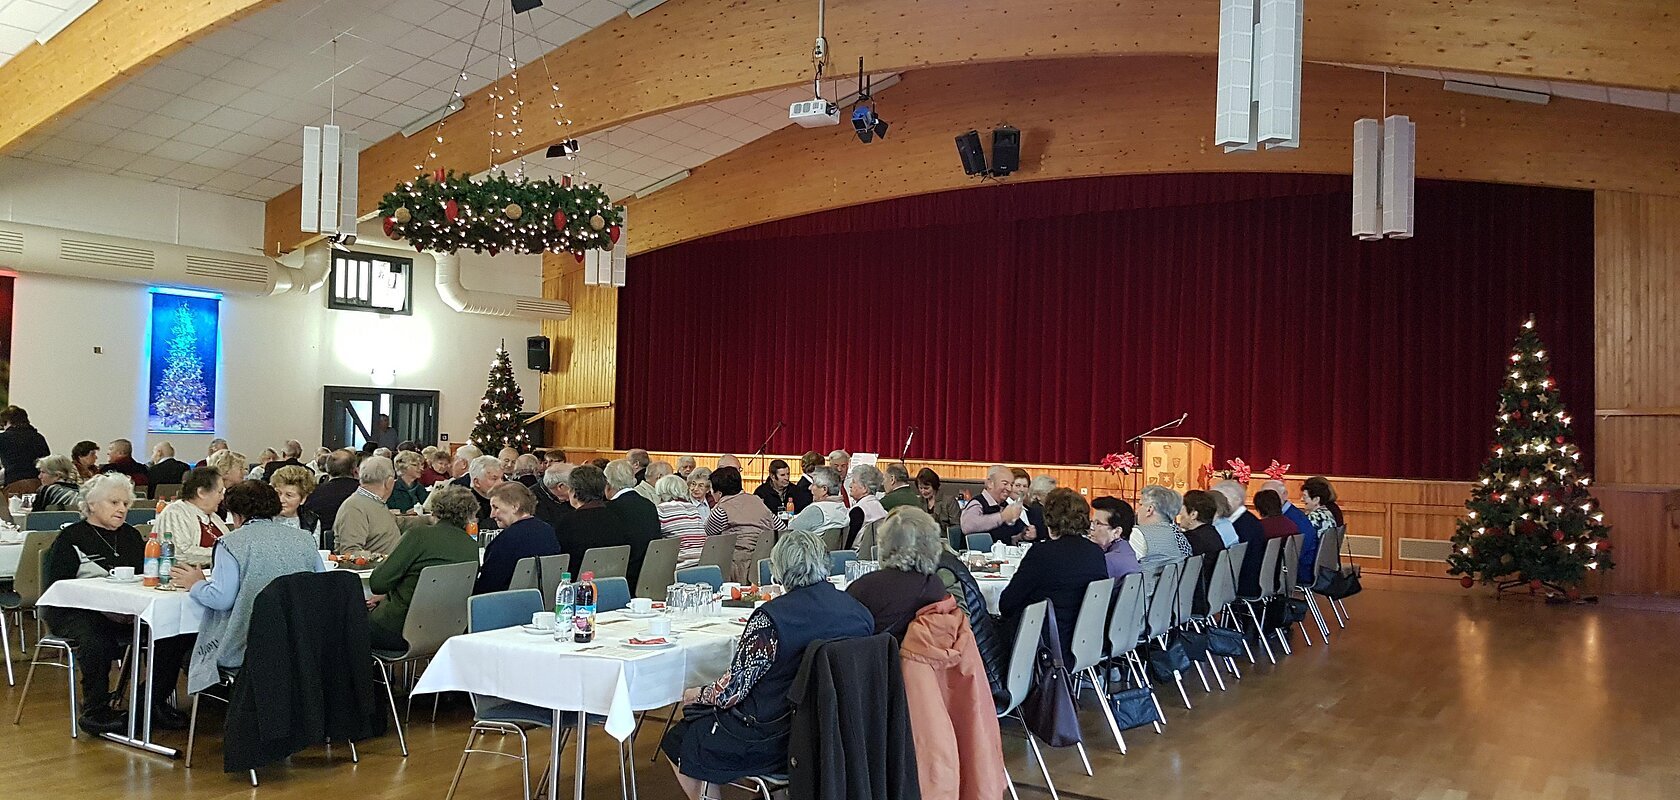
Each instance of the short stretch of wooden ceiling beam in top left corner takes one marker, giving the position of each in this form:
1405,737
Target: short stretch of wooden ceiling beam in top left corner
112,41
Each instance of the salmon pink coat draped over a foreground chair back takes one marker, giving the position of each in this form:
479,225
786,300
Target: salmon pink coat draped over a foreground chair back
958,749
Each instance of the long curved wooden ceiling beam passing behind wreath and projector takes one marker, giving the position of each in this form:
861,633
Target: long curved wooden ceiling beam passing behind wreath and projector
698,51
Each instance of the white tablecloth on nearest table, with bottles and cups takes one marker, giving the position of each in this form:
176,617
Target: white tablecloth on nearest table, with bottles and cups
601,678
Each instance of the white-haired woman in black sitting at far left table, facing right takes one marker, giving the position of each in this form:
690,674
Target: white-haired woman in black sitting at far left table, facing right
95,549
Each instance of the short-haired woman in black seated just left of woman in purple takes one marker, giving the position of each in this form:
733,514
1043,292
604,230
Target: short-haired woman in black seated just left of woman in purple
1059,567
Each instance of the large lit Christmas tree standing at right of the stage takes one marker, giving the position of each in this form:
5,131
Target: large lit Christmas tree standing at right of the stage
1531,518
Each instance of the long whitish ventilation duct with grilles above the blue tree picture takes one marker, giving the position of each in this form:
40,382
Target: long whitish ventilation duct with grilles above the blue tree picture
110,258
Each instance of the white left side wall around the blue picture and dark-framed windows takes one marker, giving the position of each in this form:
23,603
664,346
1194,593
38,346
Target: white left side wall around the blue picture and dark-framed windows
276,352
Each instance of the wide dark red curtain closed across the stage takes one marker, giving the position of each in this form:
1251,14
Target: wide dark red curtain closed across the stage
1051,322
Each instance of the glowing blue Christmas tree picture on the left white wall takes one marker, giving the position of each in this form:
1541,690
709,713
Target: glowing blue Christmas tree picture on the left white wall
186,340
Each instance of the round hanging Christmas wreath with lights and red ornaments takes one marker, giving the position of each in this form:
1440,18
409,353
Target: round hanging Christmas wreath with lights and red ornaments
496,214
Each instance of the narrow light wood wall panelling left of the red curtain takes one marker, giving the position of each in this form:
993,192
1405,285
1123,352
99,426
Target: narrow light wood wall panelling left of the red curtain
585,350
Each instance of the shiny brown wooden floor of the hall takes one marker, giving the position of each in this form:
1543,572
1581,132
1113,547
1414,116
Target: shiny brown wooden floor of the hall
1429,695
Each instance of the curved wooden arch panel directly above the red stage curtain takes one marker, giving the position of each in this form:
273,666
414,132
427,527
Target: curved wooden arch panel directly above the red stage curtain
1116,117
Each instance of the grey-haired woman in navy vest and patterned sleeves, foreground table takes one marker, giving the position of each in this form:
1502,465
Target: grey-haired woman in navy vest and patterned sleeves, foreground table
740,725
